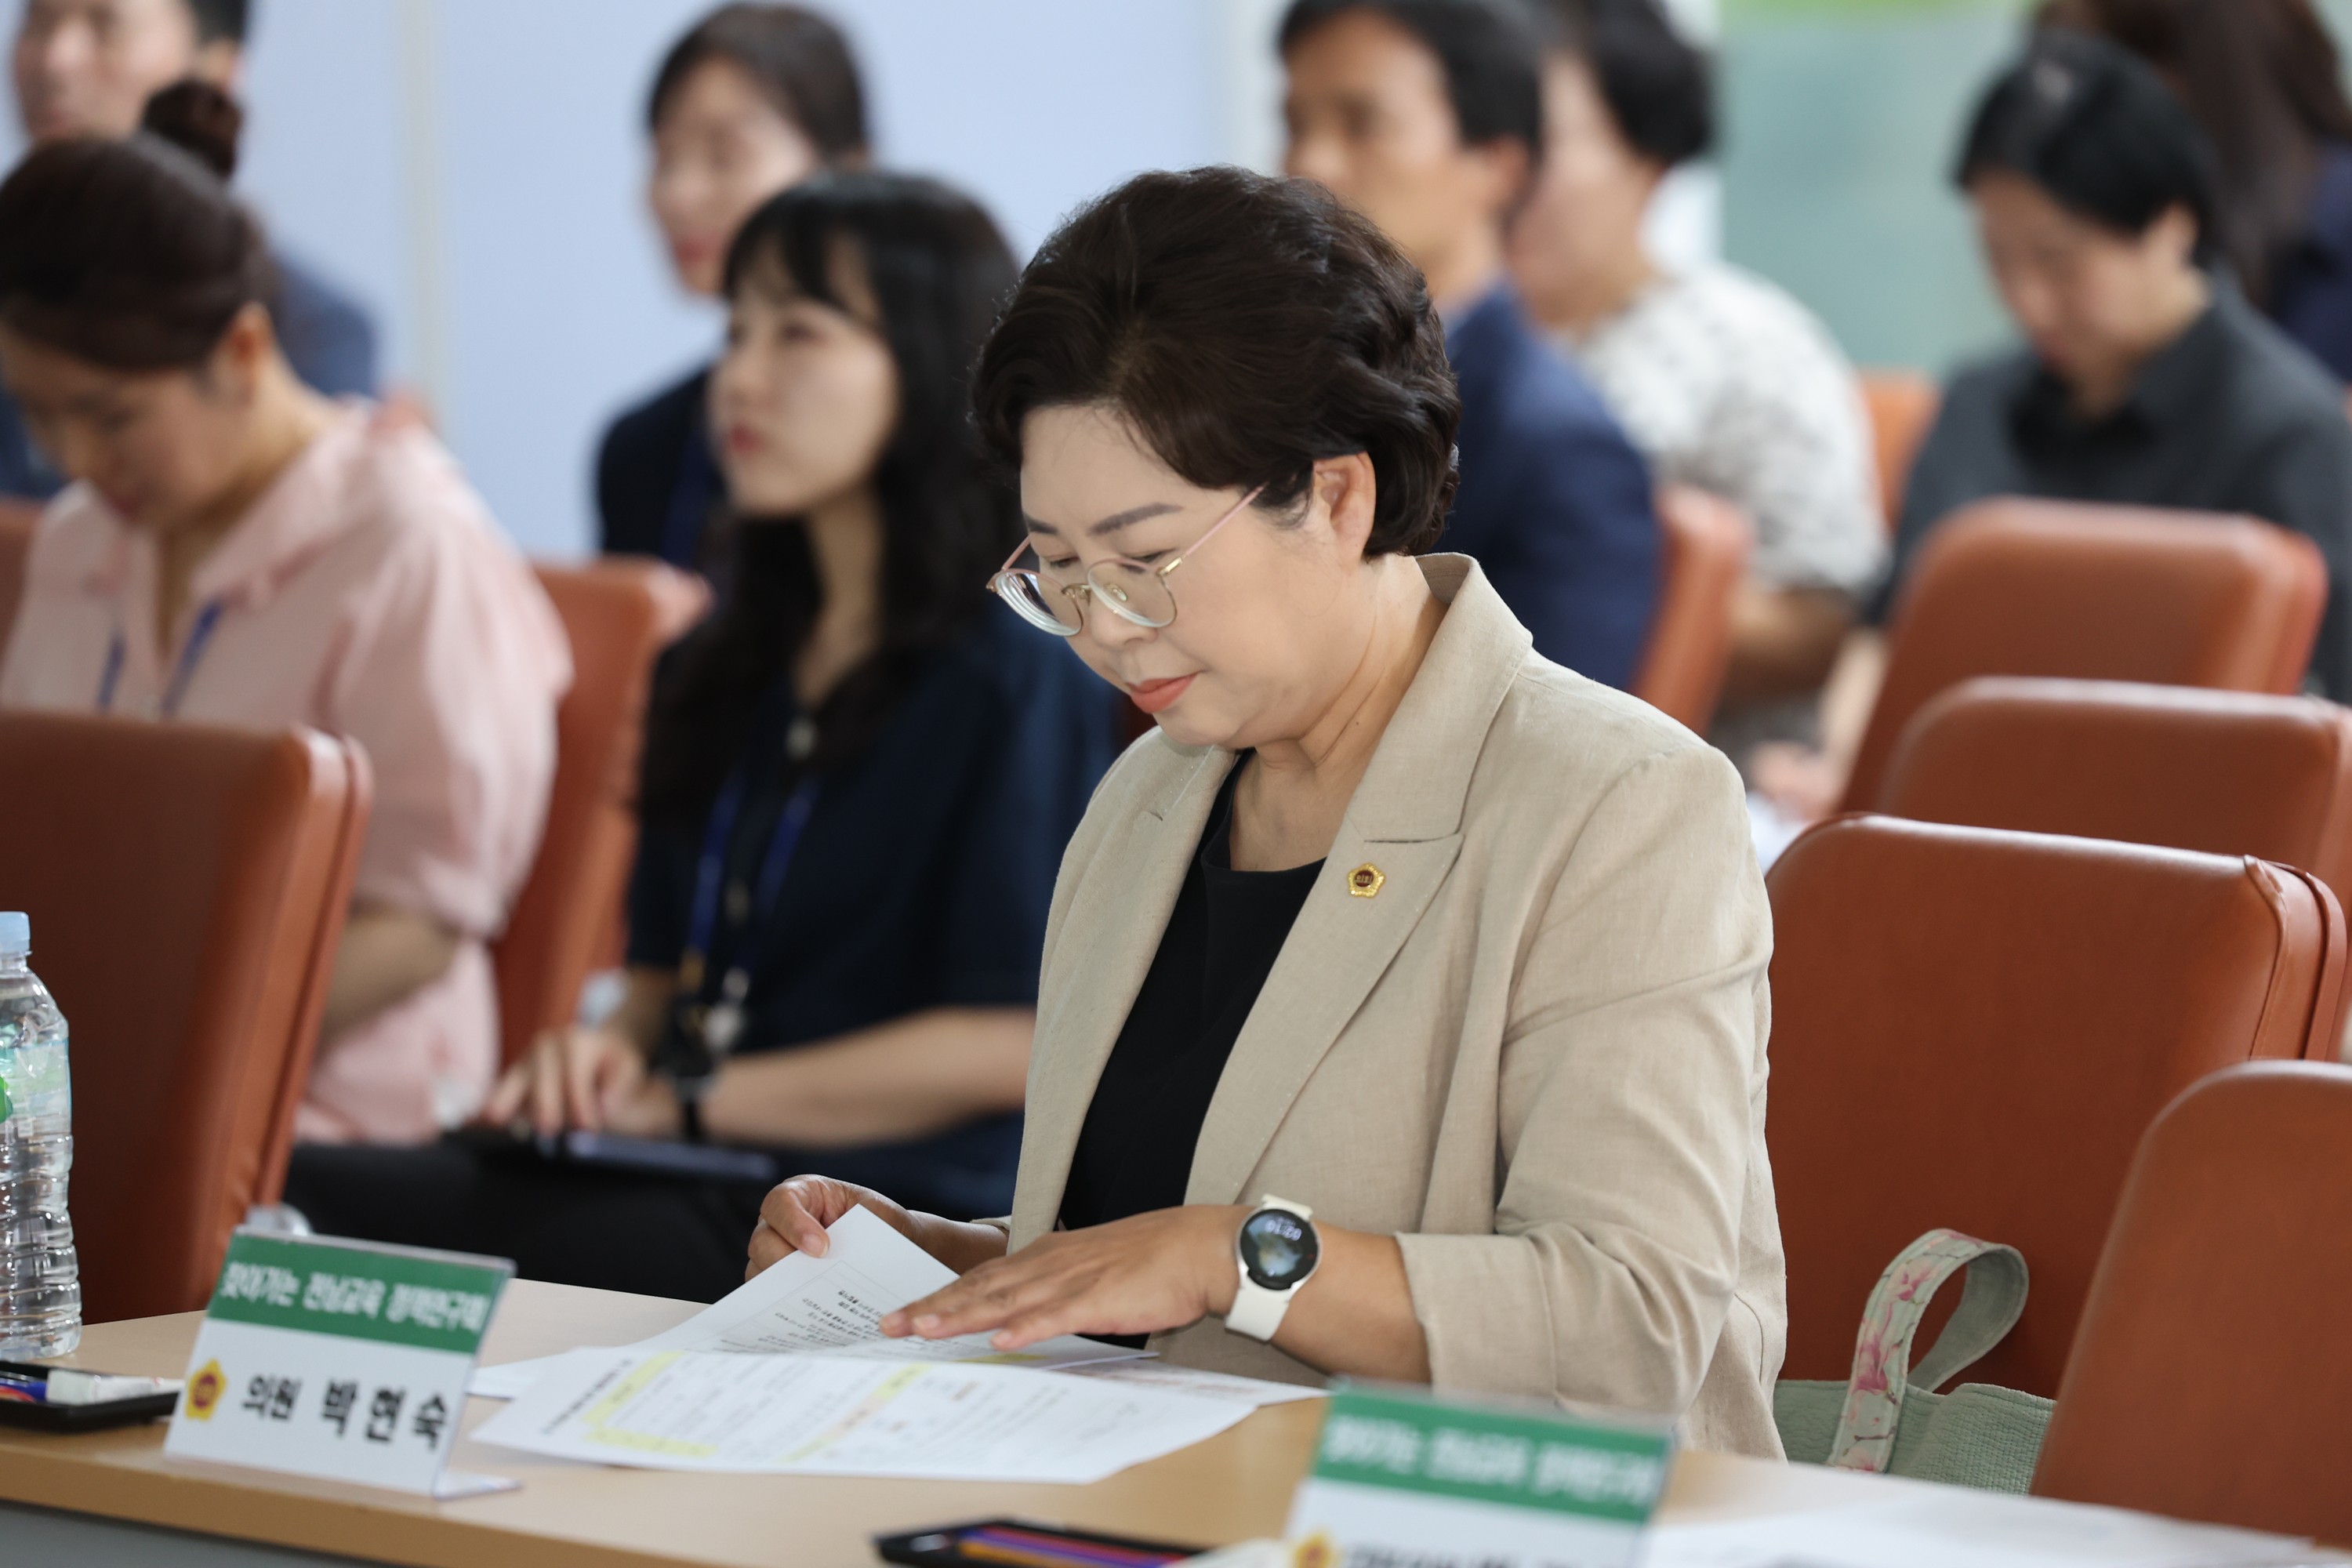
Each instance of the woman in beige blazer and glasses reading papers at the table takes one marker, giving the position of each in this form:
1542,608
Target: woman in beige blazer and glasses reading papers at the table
1448,946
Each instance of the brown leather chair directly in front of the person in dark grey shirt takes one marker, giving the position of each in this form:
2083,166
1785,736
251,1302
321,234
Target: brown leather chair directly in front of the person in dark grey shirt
2097,594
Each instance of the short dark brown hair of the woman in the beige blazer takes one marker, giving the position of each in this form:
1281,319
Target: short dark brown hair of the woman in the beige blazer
1245,328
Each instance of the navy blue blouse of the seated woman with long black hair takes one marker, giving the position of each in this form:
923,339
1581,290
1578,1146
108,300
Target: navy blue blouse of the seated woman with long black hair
921,880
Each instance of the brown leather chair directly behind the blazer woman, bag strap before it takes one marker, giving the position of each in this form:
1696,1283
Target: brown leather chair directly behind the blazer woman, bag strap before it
1975,1028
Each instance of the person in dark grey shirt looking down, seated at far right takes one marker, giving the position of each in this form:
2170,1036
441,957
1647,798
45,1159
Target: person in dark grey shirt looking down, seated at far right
2146,377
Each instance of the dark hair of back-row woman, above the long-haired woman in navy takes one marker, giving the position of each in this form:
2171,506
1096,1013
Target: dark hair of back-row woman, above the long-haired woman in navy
791,55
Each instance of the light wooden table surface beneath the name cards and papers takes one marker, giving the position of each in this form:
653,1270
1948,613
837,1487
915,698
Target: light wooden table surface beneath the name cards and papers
1234,1487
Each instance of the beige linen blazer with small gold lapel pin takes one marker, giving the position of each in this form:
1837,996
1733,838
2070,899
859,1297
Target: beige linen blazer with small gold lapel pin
1535,1057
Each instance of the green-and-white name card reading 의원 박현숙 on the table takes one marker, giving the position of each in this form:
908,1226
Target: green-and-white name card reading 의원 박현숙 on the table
338,1360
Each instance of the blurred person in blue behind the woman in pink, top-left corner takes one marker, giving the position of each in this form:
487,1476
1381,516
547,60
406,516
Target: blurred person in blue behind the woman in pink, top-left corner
88,69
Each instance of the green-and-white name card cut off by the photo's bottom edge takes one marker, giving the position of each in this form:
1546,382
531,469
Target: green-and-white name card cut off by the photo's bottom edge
1410,1480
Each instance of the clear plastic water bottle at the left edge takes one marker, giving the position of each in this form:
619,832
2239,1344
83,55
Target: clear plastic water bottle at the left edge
41,1289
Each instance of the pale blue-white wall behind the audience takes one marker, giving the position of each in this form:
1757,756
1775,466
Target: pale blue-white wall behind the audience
469,170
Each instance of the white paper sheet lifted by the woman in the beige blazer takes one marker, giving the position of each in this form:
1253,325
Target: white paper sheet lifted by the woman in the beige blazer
829,1304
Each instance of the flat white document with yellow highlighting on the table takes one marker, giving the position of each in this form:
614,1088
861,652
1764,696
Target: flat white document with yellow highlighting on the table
848,1416
